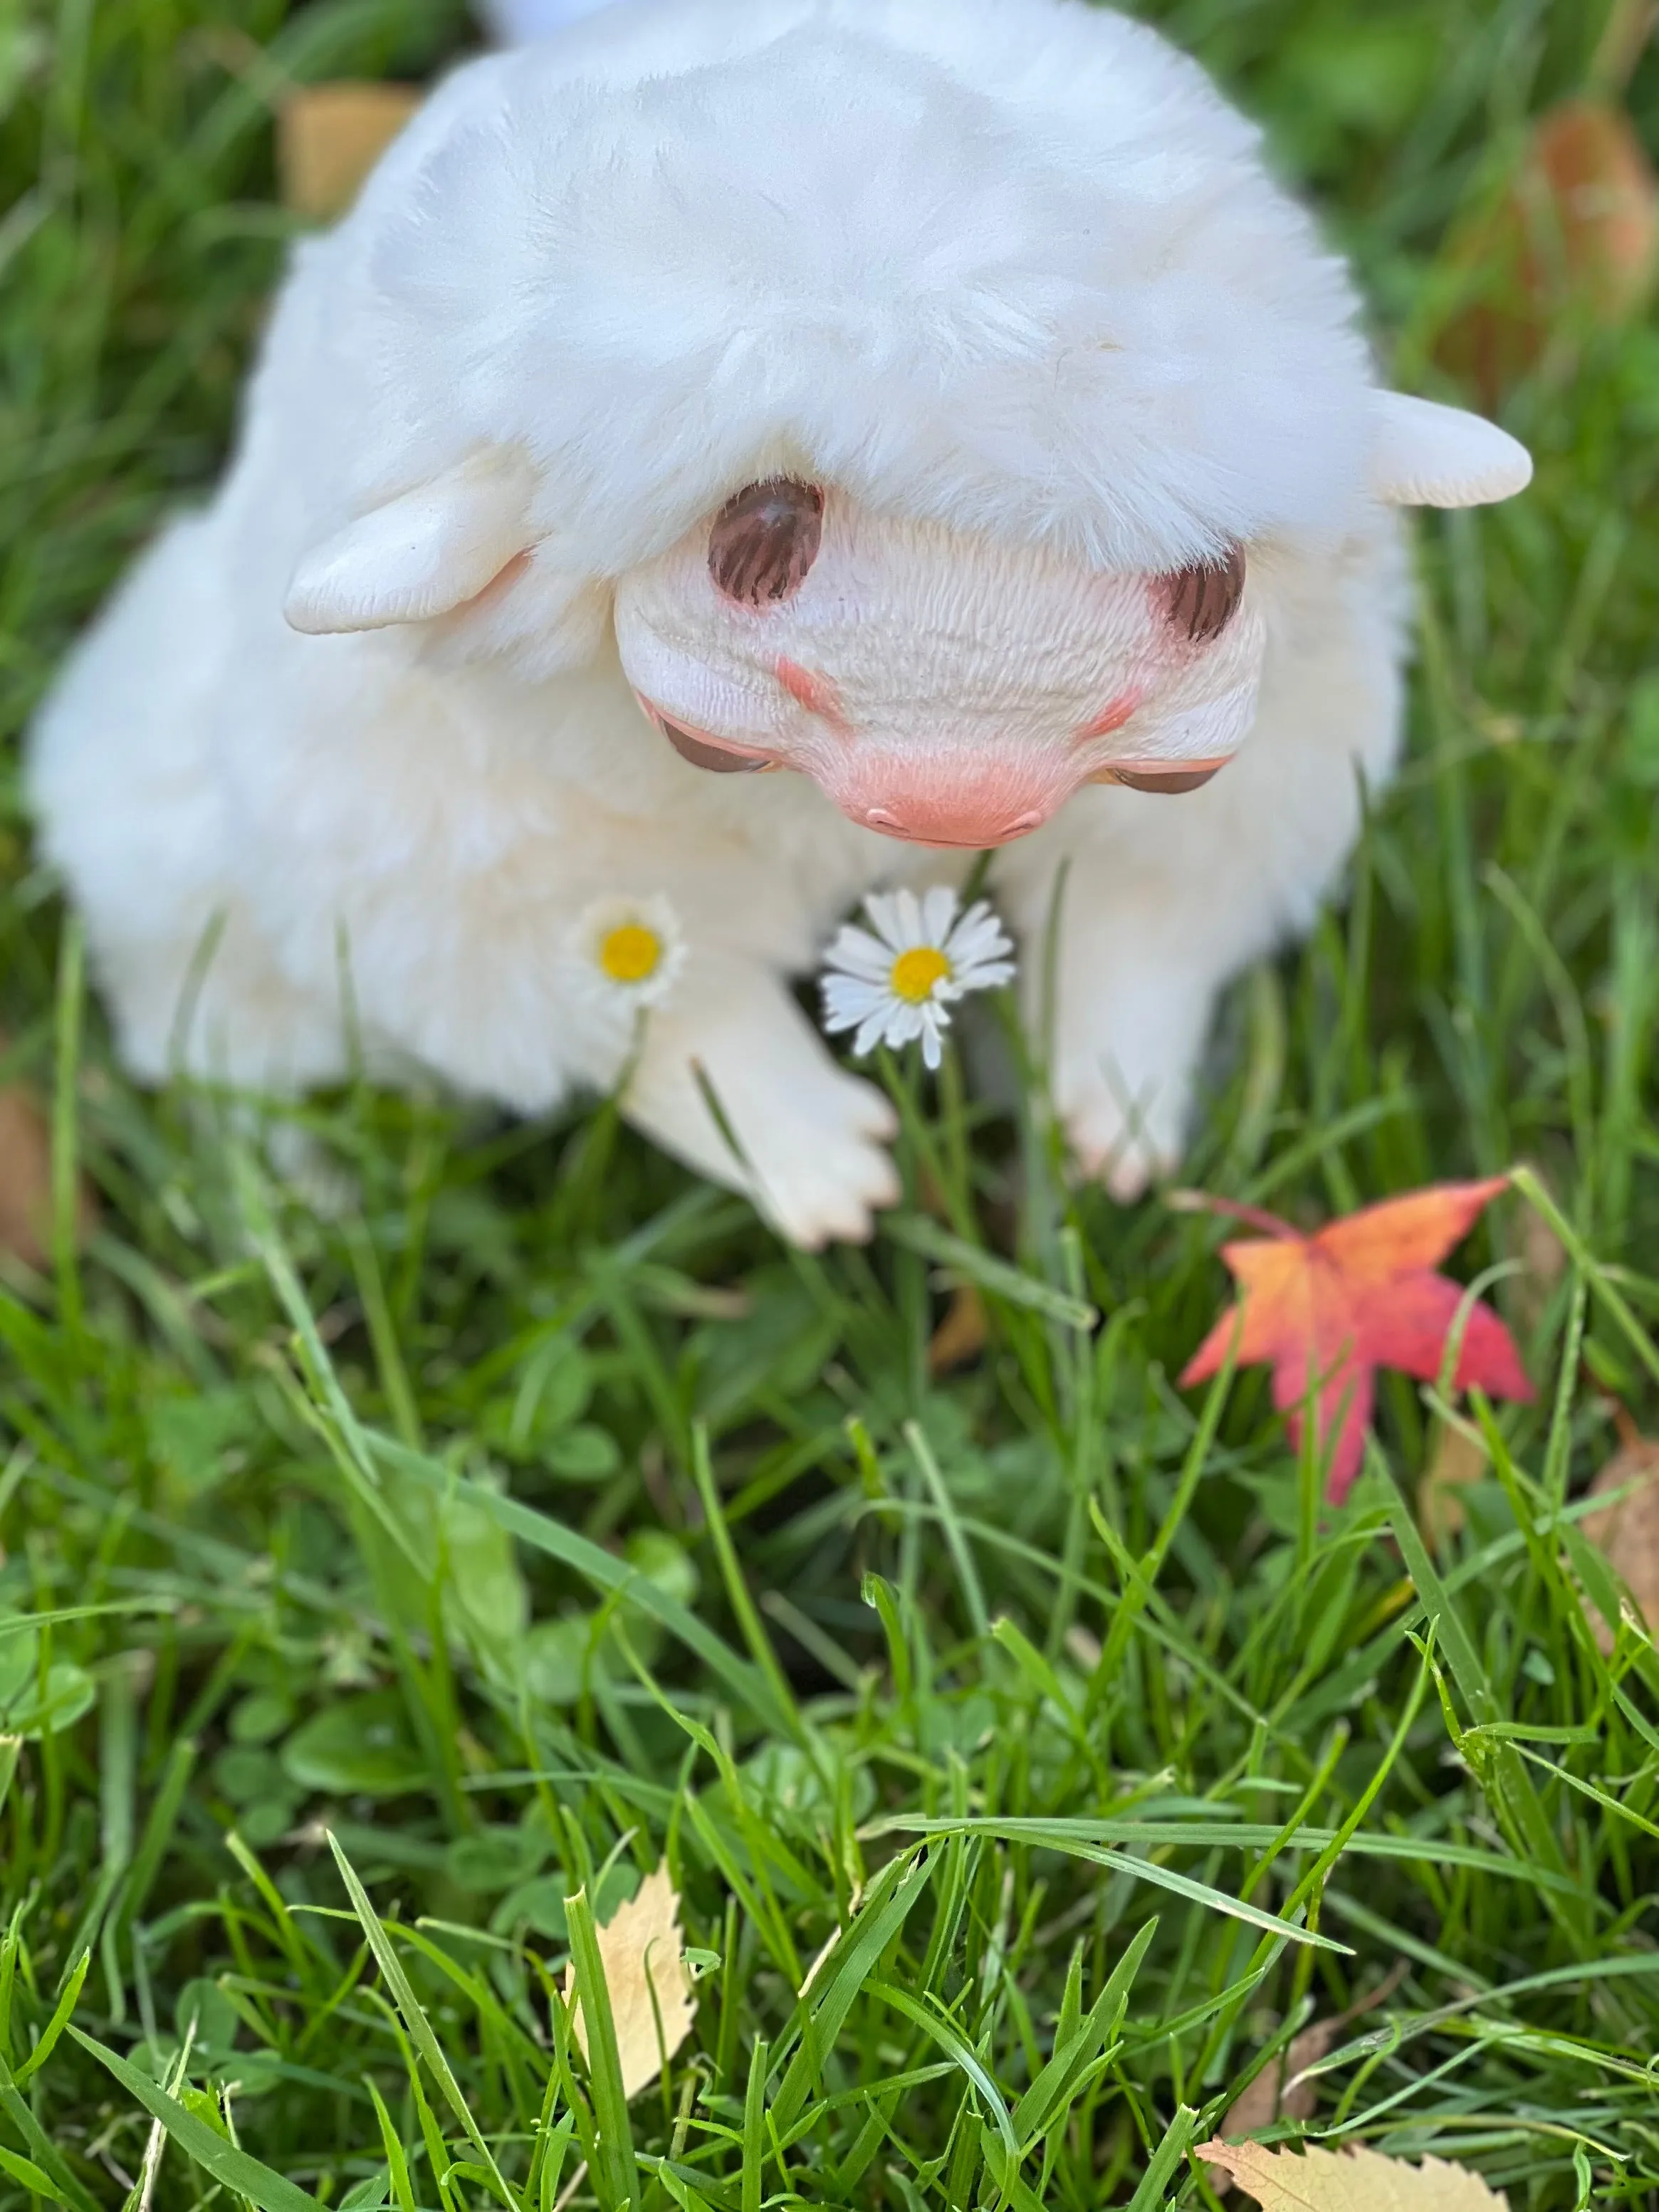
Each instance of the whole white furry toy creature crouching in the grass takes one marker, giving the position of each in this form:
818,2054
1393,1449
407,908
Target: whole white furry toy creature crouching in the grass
742,455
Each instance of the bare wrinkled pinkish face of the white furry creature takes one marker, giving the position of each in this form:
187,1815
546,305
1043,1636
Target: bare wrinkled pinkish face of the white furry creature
941,689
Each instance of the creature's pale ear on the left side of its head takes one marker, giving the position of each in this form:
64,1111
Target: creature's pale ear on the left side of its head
421,554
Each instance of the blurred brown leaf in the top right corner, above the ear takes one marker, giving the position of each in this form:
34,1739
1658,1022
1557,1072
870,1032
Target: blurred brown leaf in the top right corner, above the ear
1576,236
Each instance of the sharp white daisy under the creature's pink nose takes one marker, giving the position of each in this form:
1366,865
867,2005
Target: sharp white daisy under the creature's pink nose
904,981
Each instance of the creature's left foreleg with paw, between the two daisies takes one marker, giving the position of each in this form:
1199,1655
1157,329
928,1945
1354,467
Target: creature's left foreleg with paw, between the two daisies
811,1140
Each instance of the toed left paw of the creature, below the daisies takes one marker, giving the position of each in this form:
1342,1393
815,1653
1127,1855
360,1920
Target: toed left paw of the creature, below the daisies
822,1178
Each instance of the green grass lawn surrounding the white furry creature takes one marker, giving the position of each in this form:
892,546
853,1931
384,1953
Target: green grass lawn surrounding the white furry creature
547,1519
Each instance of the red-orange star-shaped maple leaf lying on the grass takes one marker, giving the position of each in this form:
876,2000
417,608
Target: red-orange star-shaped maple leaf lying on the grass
1328,1311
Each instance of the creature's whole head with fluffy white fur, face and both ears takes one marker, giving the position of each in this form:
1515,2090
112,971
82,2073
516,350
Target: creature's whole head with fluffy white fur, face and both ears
928,419
